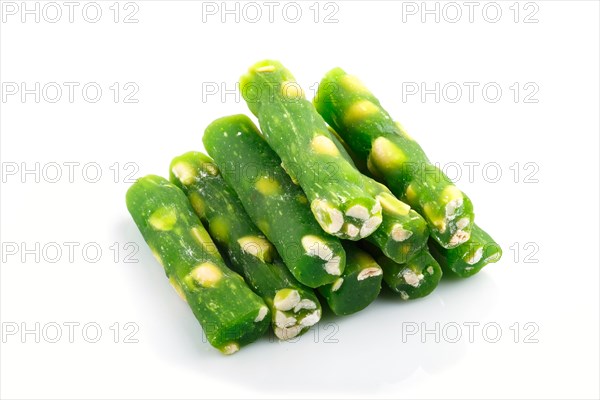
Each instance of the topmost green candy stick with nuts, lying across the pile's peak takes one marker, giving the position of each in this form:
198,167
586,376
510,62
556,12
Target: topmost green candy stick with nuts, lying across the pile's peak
300,137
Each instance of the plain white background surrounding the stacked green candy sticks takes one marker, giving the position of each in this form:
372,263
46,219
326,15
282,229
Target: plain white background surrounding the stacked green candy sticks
172,55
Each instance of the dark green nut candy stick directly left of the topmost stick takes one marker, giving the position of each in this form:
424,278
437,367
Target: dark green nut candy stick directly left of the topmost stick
275,204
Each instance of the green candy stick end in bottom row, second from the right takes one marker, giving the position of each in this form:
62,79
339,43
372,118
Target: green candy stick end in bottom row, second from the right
416,278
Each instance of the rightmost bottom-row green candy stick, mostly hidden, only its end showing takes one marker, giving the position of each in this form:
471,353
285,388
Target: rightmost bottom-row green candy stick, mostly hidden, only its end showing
468,258
